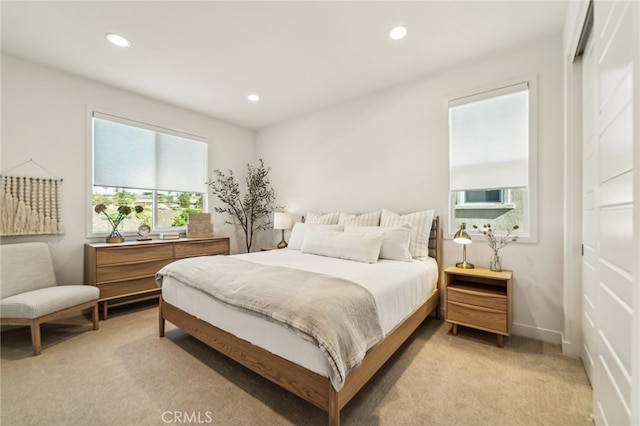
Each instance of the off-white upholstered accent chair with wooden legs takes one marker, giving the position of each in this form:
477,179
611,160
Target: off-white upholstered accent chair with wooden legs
30,295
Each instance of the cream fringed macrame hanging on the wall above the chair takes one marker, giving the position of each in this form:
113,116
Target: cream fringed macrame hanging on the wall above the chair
30,205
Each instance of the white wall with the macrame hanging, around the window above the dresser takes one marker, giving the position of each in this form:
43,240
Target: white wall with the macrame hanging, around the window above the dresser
44,118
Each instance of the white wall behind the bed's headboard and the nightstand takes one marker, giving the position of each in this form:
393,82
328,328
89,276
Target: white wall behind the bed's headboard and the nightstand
390,149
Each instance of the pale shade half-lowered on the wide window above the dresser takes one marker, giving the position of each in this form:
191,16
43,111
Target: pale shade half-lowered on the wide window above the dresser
128,155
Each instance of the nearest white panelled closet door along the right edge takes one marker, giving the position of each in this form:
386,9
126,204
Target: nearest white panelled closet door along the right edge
611,244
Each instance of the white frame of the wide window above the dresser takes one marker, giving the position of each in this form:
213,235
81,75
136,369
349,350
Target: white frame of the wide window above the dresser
91,111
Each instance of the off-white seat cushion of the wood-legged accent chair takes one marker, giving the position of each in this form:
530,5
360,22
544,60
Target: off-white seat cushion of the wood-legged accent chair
44,301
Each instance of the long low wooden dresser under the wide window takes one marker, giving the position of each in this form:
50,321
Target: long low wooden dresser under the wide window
125,273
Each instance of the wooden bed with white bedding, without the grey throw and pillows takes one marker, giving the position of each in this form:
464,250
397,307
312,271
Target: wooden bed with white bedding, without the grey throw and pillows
289,360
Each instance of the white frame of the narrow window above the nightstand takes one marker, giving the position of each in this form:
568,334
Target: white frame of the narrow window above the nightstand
530,233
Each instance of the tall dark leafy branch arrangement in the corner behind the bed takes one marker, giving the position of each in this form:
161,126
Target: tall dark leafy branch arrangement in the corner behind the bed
254,210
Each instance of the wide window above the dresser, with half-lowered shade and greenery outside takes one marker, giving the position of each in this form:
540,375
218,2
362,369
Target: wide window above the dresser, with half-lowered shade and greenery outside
137,164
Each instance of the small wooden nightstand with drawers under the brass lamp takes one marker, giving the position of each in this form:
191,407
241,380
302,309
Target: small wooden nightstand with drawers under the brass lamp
479,298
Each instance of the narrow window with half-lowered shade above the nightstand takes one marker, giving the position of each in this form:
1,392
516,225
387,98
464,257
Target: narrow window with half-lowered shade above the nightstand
490,152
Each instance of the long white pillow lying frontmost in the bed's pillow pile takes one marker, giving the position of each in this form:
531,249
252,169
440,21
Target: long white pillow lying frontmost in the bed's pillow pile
350,246
